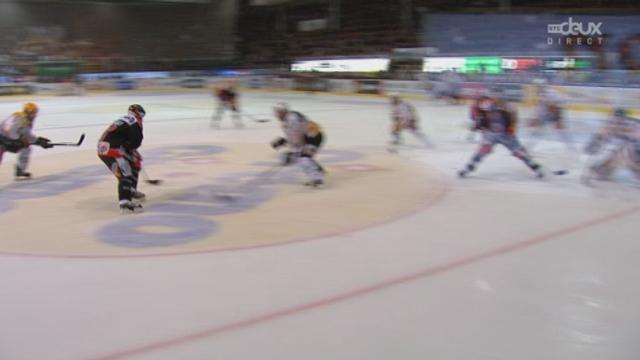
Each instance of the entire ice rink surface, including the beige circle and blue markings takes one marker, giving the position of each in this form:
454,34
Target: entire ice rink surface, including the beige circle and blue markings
396,258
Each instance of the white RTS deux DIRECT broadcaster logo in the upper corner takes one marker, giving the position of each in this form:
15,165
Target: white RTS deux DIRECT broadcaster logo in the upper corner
575,33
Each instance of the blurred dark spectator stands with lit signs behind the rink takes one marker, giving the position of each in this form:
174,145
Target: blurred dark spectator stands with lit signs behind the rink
489,40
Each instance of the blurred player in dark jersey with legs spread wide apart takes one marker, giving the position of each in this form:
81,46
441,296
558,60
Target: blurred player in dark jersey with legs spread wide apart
497,123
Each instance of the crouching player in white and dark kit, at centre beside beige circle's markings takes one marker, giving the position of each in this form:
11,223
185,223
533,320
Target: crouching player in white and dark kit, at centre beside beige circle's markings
303,138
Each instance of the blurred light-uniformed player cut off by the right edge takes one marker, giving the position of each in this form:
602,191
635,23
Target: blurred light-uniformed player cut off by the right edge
621,137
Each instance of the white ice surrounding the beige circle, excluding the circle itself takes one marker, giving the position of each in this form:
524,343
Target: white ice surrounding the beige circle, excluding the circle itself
503,266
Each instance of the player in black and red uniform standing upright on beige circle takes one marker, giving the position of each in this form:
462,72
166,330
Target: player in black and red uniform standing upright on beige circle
118,149
